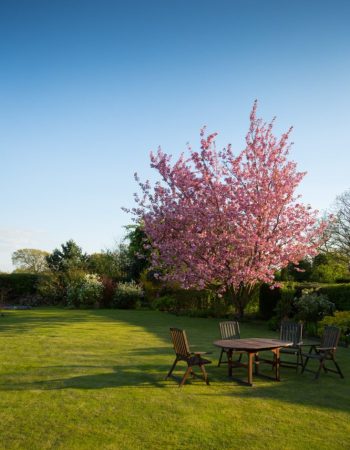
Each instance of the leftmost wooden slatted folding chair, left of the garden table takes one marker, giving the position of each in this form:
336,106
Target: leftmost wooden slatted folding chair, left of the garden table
183,353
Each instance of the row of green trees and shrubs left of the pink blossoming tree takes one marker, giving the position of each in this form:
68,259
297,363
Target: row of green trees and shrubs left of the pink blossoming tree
70,277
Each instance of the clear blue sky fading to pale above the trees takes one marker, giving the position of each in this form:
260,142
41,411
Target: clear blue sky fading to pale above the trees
87,88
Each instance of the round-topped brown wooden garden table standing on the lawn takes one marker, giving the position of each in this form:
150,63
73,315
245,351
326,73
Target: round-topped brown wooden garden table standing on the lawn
252,347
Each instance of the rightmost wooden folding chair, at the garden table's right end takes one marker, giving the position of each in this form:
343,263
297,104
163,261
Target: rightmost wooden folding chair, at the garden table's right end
325,351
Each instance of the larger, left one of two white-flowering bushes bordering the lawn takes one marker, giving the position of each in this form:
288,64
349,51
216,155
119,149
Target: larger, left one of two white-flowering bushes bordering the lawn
85,291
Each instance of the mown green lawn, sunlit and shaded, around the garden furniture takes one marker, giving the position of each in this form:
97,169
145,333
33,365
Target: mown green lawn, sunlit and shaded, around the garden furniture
94,380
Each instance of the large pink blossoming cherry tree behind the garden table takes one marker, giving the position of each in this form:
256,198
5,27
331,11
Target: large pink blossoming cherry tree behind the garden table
225,220
